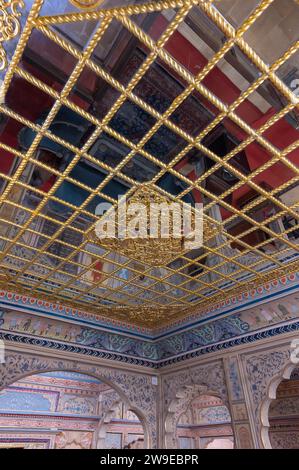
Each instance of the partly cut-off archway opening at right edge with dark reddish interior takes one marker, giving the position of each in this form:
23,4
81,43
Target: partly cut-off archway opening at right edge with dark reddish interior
284,414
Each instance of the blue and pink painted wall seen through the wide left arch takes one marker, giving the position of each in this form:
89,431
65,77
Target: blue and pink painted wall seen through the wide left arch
49,402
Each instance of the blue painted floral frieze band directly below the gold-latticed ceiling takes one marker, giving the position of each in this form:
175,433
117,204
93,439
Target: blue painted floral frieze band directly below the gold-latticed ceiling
160,352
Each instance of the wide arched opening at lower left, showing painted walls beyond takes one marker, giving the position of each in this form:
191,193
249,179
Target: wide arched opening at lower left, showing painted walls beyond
63,410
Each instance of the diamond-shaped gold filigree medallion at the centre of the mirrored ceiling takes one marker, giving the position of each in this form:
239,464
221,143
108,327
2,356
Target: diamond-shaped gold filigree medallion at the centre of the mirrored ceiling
151,228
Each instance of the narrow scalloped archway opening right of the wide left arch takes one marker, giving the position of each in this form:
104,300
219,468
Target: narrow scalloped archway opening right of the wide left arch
198,418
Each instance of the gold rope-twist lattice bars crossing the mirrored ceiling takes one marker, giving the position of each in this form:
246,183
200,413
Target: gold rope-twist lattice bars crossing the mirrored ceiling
132,305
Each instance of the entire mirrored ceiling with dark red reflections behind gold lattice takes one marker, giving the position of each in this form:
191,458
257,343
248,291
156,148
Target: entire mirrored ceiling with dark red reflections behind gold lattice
196,101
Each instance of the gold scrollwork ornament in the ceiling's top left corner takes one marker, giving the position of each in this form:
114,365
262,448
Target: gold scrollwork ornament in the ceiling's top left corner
9,25
